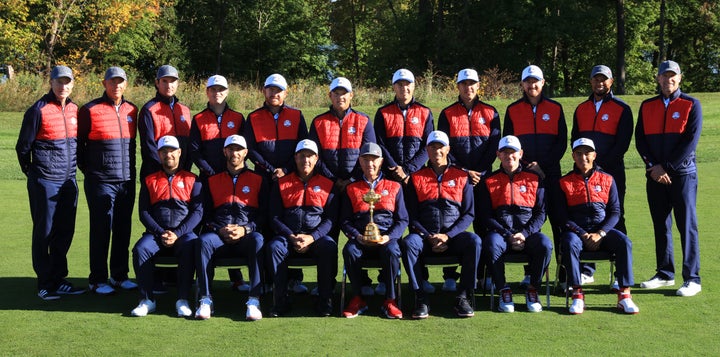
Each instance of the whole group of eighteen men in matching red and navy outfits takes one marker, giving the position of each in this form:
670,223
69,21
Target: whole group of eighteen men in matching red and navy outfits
403,188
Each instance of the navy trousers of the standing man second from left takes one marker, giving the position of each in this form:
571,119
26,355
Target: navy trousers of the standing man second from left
110,205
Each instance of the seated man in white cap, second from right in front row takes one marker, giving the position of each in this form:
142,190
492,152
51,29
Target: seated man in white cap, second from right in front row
512,206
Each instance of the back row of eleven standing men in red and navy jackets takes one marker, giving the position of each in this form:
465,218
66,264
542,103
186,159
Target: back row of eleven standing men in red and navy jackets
666,136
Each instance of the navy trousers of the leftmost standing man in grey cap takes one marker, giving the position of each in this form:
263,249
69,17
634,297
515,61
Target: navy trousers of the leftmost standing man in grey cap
53,206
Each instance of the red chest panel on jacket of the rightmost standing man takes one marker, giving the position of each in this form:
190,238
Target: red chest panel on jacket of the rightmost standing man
675,118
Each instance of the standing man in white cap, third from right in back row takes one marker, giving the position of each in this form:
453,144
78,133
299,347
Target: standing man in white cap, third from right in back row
539,123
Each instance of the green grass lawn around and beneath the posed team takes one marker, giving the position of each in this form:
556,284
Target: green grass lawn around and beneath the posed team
94,325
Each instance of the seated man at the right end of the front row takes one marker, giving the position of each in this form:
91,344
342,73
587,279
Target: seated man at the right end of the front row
589,209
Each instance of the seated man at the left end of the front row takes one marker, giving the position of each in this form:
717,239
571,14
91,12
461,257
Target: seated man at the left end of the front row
170,208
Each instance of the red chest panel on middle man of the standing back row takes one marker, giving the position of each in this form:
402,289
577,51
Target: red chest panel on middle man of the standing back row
333,137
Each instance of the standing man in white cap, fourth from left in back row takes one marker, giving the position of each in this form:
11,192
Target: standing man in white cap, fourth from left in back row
208,131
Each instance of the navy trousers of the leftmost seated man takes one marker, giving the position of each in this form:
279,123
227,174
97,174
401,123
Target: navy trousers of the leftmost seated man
148,247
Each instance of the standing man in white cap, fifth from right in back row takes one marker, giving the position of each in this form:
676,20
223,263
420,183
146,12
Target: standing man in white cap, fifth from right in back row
401,128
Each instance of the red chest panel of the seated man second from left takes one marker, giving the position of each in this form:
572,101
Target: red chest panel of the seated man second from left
245,192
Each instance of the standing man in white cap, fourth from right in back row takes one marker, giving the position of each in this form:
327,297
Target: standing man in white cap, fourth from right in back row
474,130
